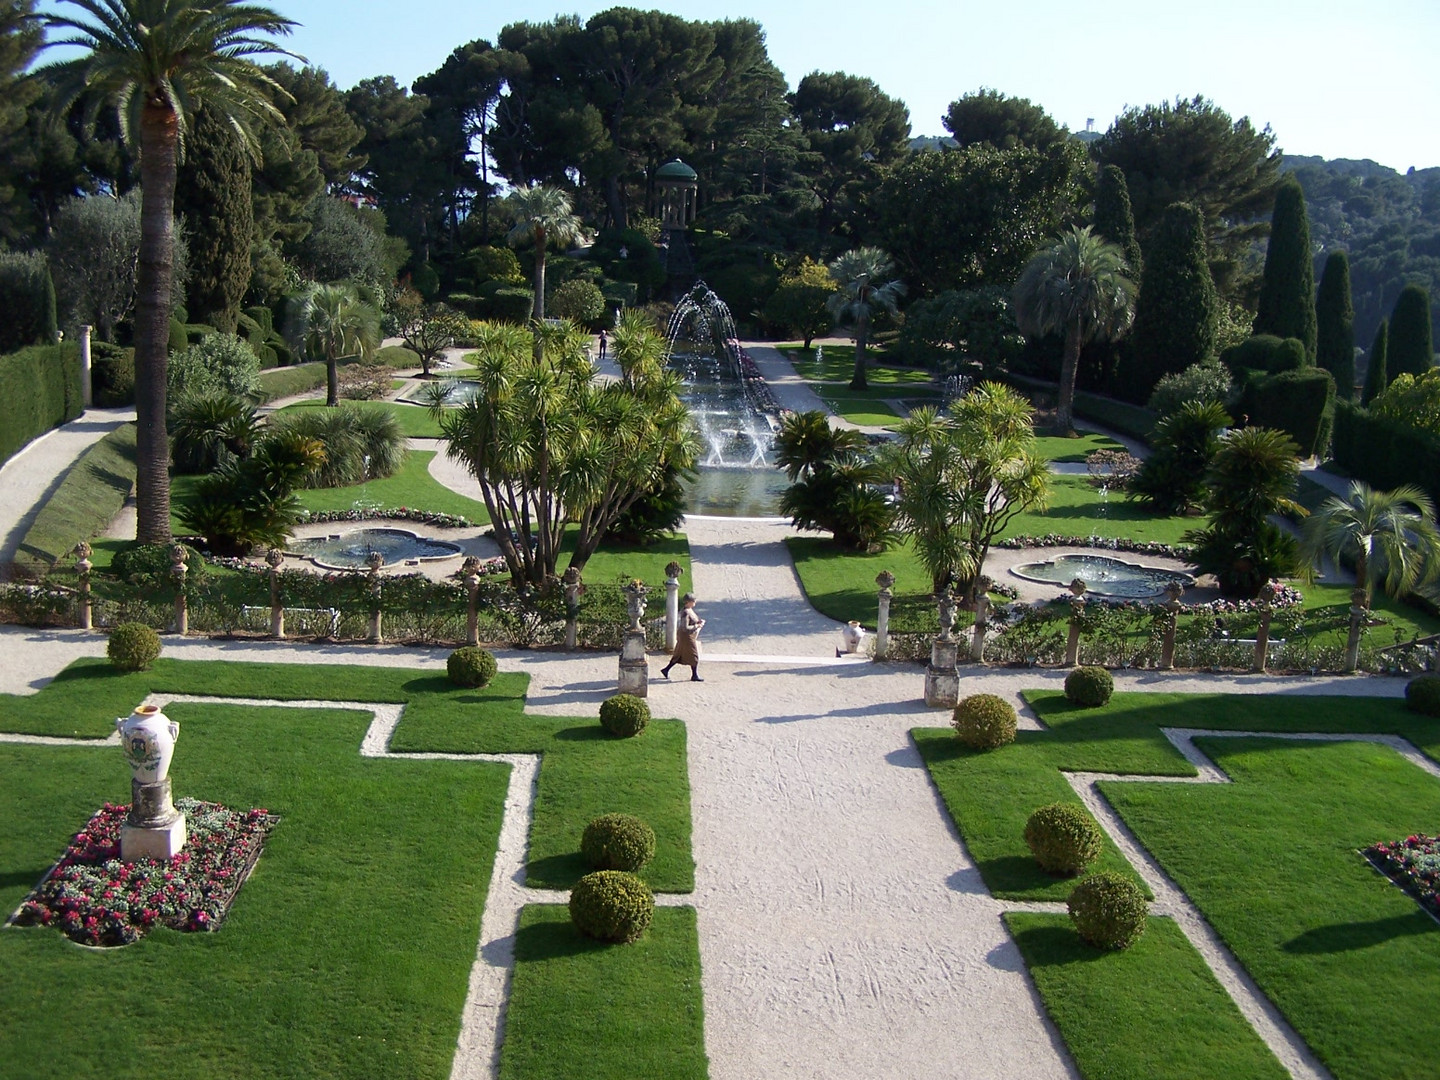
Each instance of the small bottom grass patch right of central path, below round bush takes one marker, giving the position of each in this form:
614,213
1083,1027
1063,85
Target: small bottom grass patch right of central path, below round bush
1179,1023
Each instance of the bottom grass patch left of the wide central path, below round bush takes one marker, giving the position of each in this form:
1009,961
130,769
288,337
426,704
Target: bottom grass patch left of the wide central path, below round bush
585,1009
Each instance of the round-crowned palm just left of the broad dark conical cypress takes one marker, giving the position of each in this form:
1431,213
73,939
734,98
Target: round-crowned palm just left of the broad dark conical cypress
1079,287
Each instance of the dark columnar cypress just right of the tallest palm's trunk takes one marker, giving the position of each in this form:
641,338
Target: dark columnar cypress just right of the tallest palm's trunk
214,194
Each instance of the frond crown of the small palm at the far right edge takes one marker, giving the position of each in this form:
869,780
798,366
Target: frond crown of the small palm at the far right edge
1392,538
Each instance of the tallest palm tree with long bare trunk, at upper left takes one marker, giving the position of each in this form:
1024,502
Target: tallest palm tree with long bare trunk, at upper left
158,63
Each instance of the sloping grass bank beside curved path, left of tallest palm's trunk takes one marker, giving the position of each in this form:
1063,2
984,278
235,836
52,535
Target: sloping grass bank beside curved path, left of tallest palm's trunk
84,505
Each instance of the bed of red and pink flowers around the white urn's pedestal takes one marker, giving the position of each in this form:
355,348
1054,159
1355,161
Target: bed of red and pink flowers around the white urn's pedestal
96,899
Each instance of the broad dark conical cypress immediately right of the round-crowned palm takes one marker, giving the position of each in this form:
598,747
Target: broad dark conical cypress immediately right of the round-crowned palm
1177,310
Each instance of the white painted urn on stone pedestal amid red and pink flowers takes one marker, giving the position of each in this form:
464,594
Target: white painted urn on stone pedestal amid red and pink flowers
155,829
